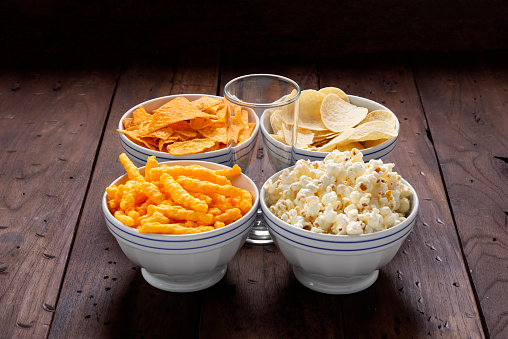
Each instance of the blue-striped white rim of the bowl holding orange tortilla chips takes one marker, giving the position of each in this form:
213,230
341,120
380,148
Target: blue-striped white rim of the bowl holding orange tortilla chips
210,154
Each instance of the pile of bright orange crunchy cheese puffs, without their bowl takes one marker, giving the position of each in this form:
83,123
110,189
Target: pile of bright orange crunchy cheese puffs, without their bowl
177,199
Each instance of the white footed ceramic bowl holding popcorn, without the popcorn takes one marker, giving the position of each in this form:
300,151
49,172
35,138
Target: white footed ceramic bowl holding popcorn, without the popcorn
337,264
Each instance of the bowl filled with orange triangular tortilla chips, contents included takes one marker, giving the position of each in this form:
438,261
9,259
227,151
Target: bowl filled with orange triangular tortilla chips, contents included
186,127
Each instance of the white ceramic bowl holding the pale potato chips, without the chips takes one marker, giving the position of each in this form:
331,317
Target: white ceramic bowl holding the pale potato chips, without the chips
277,151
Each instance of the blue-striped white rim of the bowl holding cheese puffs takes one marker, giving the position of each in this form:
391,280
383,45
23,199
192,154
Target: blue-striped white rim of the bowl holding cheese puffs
182,237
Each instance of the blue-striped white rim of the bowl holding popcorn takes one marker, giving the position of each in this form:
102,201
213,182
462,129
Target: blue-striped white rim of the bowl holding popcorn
340,238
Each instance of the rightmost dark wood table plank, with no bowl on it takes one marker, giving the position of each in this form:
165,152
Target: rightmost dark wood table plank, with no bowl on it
465,100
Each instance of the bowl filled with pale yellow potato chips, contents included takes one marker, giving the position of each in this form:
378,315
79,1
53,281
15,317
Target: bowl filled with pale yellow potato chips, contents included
331,120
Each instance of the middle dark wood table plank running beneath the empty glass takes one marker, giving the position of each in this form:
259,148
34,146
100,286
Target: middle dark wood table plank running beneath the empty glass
260,297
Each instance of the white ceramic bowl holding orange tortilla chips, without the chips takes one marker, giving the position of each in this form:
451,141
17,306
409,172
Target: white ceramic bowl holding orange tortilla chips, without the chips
139,154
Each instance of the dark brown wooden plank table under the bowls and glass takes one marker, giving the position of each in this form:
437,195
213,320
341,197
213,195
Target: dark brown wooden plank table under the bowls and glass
62,274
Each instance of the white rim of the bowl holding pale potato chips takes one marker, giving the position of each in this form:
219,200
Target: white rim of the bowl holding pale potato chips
318,154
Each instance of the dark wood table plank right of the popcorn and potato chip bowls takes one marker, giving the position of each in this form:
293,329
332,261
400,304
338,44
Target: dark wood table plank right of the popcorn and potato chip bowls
412,297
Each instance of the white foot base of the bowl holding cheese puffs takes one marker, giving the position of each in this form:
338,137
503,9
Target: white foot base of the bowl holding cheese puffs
184,283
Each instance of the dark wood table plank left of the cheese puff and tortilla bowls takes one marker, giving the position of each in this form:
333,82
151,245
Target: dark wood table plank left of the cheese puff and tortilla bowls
104,294
